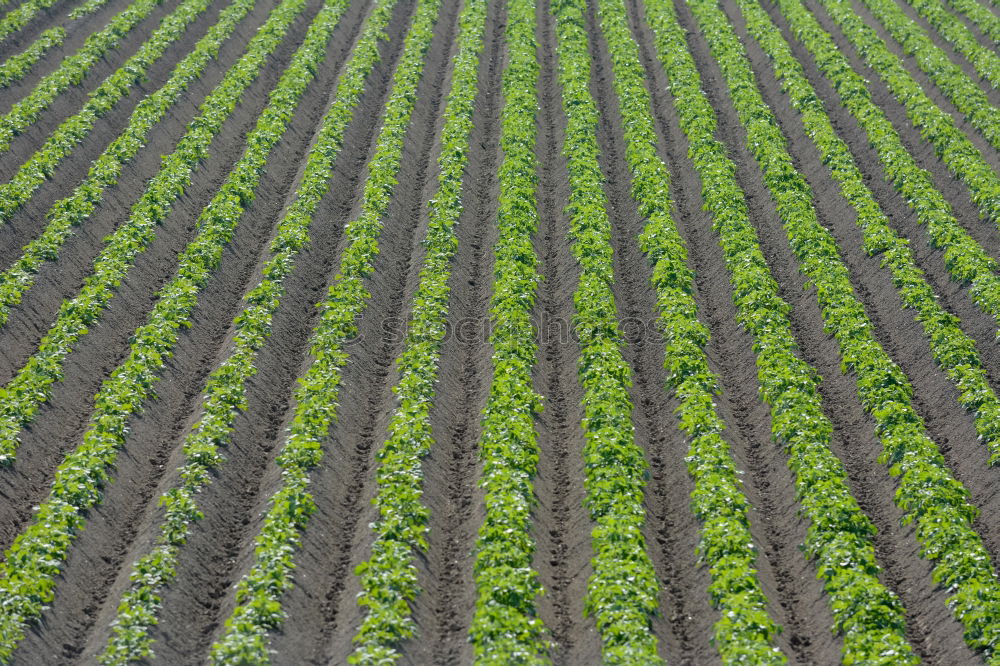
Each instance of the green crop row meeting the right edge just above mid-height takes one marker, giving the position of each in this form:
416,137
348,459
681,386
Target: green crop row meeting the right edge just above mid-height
966,261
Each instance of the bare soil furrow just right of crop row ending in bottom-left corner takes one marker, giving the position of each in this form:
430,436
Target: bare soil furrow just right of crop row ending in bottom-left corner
100,556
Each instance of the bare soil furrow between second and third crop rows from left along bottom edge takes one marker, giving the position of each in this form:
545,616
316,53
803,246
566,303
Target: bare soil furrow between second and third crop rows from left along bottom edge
220,548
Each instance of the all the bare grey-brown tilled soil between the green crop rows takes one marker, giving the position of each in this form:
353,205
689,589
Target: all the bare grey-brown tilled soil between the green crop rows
322,613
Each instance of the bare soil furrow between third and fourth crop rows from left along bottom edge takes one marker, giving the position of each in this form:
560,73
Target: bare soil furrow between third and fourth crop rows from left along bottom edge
323,616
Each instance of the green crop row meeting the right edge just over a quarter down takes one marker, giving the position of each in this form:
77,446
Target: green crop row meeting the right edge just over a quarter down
936,126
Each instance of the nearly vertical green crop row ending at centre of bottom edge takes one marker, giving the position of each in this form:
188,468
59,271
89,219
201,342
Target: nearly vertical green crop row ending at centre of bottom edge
505,626
